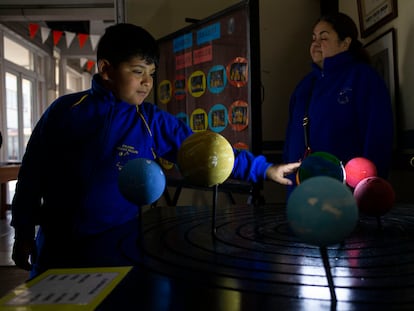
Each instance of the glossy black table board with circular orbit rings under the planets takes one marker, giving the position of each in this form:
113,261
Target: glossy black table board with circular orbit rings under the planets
254,252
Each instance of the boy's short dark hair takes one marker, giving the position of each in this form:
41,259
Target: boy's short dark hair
123,41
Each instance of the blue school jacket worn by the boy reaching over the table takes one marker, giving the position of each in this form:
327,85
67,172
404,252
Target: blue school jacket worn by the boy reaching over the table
68,178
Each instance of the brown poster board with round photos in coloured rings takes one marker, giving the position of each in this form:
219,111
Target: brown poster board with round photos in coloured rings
209,76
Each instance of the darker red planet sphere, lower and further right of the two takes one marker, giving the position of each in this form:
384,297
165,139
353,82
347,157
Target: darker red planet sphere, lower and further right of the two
374,196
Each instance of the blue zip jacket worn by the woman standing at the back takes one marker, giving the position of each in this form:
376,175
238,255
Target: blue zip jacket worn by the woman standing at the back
350,113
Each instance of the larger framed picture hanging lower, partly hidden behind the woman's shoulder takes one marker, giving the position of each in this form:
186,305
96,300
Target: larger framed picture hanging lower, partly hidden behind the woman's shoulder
382,51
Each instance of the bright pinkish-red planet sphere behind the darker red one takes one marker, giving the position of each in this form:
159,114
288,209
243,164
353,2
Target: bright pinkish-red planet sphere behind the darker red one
357,169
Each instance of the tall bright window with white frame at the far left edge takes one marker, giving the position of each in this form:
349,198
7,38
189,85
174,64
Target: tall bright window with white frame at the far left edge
24,93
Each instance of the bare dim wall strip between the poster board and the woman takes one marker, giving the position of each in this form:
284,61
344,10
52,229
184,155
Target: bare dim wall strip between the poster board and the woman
286,32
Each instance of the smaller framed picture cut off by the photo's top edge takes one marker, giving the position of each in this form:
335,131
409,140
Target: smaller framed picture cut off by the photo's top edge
373,14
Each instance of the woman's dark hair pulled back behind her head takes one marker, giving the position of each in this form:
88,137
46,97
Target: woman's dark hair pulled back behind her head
346,27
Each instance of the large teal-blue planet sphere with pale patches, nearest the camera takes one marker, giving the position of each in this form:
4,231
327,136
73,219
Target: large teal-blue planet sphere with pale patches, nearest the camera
322,211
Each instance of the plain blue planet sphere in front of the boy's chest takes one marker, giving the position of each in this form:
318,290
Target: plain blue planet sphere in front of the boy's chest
141,181
